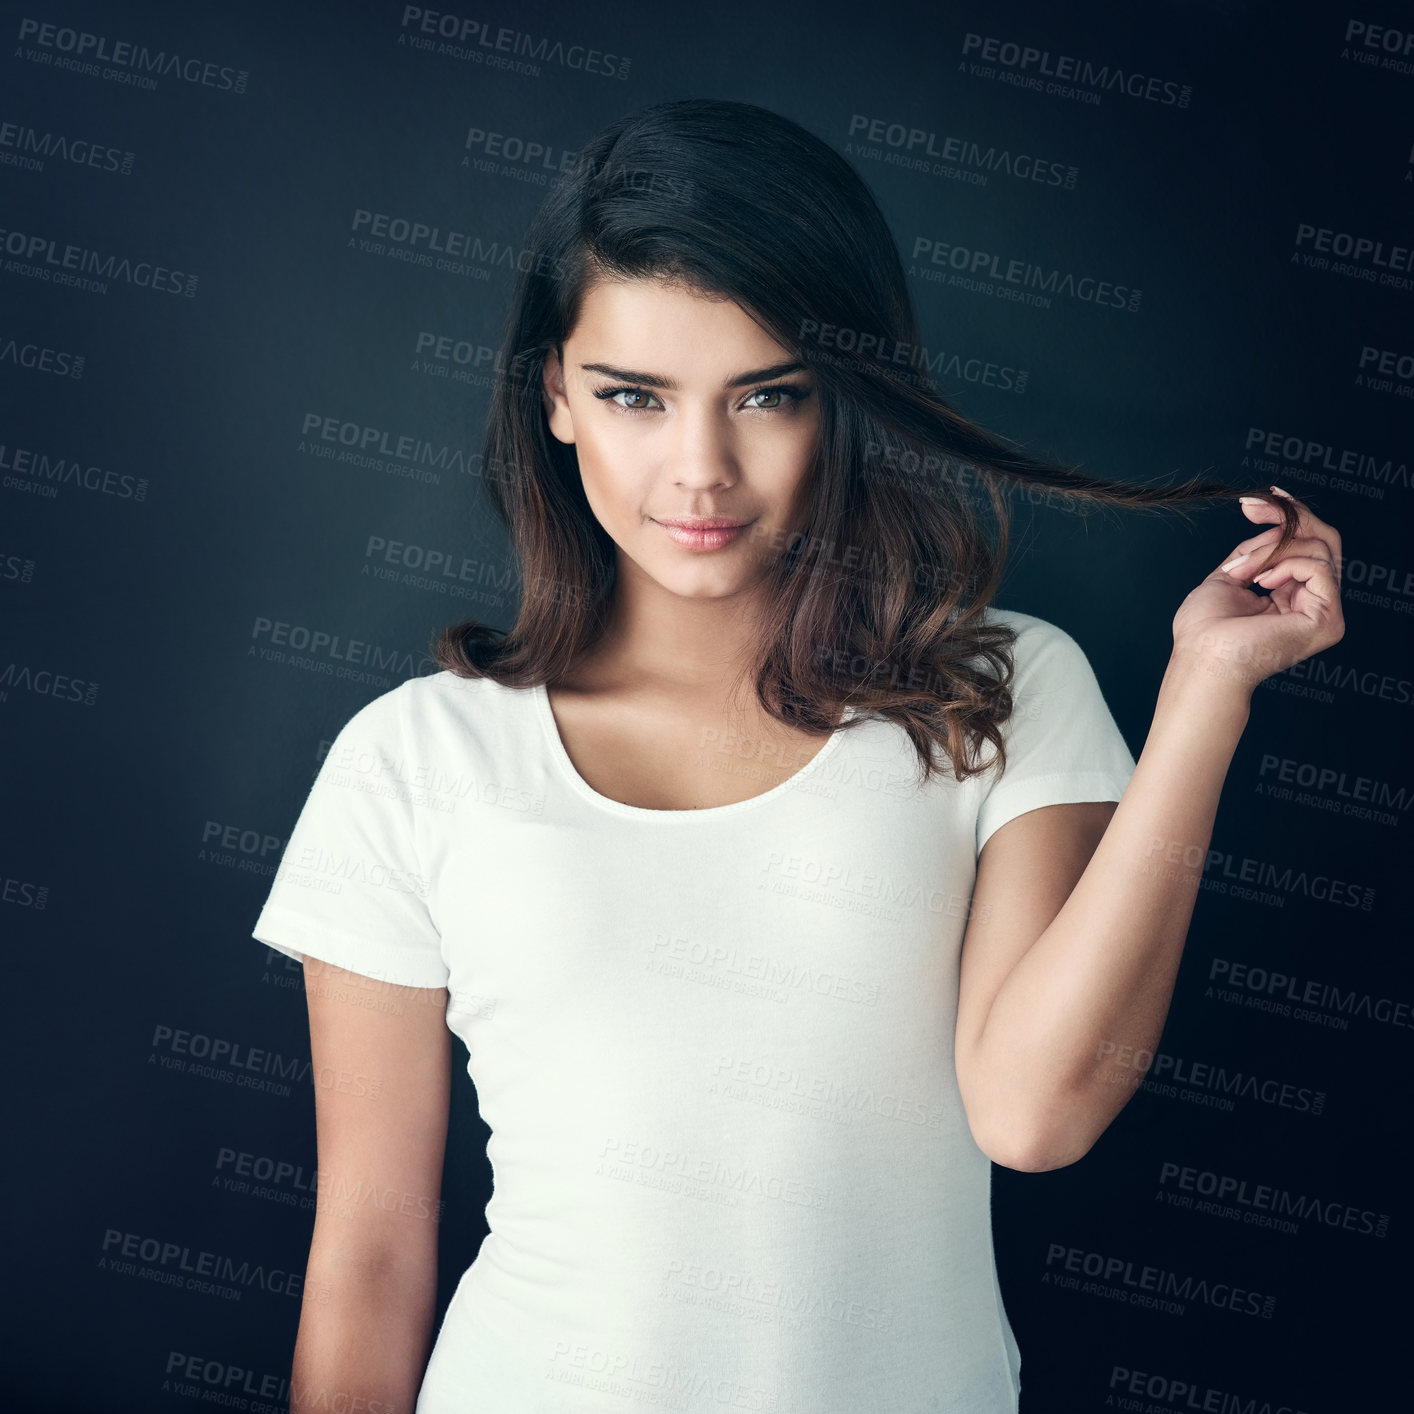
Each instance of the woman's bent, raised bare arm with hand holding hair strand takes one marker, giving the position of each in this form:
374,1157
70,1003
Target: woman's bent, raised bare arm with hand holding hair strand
1071,952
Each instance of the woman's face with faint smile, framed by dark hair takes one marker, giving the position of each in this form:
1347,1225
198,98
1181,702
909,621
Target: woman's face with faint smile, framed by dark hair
681,408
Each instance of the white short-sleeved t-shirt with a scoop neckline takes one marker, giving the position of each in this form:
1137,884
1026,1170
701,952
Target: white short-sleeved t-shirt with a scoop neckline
715,1048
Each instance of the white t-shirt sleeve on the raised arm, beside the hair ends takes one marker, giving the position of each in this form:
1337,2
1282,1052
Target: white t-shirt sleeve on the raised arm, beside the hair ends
1063,742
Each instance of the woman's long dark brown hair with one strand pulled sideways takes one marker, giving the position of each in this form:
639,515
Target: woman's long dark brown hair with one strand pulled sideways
880,602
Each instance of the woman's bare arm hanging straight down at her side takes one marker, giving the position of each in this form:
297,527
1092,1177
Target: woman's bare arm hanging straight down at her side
382,1085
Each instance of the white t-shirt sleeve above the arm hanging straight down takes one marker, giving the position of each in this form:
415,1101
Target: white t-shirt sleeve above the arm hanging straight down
351,889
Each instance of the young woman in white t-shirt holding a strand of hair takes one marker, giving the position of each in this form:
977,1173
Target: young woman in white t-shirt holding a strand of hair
759,962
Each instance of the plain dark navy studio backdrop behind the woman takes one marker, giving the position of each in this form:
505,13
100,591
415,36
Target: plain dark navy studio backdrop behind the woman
254,264
